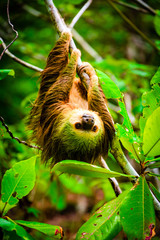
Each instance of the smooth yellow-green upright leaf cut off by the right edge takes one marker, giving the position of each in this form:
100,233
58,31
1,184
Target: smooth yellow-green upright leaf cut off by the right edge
151,136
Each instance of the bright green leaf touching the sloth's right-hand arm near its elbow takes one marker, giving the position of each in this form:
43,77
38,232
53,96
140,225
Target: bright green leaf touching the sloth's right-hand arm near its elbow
109,88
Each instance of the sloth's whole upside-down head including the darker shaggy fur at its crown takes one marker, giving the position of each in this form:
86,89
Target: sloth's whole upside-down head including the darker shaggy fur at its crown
80,135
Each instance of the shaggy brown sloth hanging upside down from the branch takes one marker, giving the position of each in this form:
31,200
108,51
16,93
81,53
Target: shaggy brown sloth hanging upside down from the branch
70,119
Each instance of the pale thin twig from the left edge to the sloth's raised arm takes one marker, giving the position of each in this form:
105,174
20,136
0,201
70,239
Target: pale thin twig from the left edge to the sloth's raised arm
28,65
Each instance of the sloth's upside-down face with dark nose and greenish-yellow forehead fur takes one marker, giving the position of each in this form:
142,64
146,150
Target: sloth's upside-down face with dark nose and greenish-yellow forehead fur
81,130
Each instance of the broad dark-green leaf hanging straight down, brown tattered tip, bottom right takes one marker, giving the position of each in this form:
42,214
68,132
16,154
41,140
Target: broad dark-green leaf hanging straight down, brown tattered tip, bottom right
137,212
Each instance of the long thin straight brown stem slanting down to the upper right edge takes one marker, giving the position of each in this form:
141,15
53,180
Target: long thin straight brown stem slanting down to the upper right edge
132,25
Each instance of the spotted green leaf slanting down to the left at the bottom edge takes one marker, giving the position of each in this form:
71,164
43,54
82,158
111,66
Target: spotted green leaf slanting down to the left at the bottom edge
105,223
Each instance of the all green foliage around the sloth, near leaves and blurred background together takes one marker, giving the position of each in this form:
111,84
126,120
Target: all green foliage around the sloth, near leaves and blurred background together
34,200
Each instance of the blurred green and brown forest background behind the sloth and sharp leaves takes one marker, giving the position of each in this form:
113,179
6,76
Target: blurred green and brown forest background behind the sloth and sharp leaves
127,58
